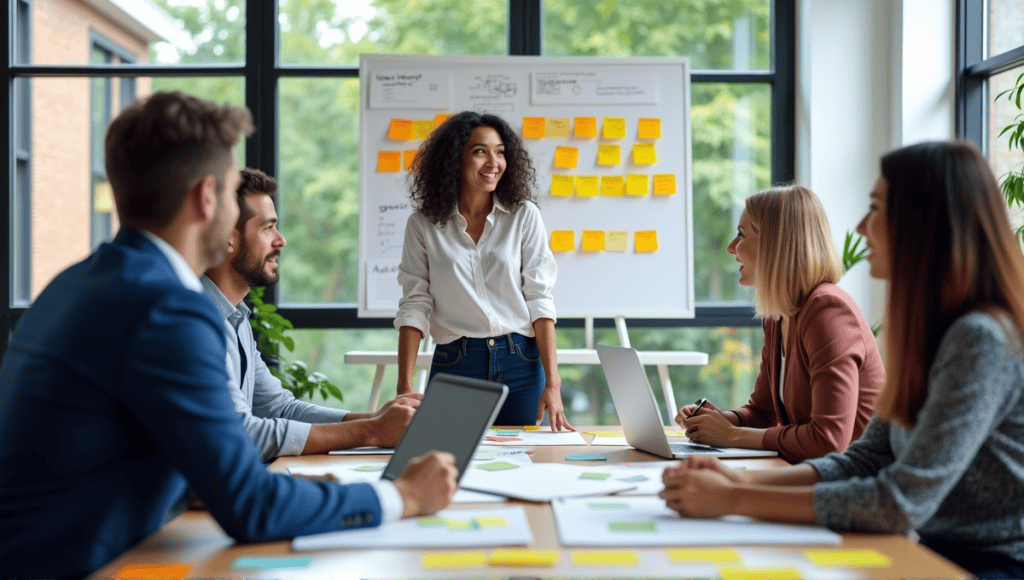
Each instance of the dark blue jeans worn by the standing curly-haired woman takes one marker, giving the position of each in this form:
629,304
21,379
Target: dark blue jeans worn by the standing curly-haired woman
514,360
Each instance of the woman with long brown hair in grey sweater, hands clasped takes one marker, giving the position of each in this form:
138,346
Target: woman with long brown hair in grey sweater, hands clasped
945,454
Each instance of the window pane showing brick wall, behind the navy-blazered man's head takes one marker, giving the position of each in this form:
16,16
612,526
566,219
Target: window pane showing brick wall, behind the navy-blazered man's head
65,208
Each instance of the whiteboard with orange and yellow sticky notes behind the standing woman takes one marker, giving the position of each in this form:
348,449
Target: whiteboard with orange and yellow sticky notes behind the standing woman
658,284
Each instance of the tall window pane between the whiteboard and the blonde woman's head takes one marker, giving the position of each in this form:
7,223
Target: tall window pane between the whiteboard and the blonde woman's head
732,133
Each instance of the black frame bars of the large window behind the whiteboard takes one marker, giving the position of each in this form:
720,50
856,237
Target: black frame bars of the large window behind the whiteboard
263,72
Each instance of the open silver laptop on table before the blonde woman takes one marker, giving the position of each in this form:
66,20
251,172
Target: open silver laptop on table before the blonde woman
639,415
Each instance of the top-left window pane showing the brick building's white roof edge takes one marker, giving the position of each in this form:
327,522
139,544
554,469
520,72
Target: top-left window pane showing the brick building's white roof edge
159,31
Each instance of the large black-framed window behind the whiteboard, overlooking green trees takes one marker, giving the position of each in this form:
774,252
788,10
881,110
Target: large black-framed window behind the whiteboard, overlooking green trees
295,65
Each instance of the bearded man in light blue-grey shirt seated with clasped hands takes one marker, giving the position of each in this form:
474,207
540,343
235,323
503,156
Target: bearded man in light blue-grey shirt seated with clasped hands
278,423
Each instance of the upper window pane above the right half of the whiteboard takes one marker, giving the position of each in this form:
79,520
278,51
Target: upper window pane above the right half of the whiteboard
714,34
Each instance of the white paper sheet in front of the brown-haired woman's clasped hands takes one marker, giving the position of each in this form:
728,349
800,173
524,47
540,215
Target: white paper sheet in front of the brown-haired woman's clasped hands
591,522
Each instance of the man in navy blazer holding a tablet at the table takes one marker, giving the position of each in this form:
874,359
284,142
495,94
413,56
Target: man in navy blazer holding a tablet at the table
113,388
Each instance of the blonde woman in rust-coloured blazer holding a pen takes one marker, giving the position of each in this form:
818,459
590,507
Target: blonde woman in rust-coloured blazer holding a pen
821,369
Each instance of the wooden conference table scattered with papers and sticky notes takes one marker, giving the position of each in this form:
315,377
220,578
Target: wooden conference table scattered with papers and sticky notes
195,540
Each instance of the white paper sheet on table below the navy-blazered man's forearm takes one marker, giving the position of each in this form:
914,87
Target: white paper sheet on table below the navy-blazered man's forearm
410,533
